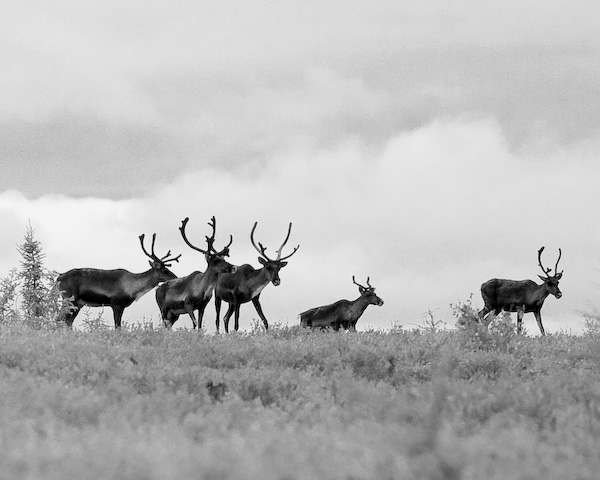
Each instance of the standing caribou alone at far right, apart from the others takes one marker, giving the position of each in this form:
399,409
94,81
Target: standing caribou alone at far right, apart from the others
521,296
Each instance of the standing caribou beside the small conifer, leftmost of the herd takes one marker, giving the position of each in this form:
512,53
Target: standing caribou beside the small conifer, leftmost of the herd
114,288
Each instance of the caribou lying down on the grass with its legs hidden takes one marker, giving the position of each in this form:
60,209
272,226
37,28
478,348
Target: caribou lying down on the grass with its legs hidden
343,313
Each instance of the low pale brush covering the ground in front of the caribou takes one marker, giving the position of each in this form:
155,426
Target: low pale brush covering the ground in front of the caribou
293,404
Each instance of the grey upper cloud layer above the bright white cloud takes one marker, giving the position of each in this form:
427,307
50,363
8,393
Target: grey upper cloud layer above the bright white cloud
97,96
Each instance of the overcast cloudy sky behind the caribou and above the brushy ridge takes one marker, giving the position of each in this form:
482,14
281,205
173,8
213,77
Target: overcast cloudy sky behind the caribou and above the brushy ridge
428,145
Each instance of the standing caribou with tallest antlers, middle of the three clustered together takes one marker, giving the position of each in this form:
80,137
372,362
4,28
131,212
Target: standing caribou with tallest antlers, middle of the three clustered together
186,294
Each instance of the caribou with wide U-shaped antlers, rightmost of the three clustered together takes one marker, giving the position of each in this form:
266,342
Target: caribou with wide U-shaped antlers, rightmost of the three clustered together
247,283
